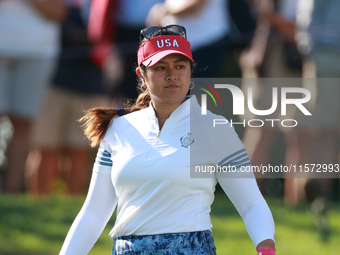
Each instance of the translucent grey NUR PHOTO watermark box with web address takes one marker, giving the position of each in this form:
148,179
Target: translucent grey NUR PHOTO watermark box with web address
277,105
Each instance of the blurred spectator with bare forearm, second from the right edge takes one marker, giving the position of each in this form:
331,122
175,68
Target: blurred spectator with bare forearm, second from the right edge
273,54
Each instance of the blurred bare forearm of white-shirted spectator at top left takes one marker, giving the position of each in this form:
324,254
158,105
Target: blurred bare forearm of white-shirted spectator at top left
50,9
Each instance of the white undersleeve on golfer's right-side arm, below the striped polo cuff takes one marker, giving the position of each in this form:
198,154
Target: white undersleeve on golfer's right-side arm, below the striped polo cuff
249,202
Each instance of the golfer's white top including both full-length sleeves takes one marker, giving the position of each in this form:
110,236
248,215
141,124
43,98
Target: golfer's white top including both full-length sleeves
146,175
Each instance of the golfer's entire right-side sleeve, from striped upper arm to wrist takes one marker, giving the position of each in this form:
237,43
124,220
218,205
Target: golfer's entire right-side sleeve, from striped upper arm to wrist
241,187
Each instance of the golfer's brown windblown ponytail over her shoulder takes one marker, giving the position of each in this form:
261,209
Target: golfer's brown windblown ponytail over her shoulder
97,120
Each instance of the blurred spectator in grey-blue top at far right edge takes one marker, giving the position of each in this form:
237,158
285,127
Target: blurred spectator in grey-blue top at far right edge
316,141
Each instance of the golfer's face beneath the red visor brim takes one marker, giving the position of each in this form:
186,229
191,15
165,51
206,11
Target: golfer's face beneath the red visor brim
169,79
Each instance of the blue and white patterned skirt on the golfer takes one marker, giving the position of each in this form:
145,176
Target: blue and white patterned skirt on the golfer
184,243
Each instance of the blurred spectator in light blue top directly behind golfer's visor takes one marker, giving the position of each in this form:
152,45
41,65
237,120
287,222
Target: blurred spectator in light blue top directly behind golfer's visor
208,26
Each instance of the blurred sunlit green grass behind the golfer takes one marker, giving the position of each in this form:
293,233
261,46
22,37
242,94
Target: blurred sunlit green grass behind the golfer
34,225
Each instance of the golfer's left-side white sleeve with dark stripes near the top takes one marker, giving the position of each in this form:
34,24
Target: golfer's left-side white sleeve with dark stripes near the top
97,209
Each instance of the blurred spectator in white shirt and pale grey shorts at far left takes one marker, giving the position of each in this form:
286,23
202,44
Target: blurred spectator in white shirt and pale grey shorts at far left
29,43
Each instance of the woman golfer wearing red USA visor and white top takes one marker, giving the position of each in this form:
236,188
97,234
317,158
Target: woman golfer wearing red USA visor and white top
146,157
